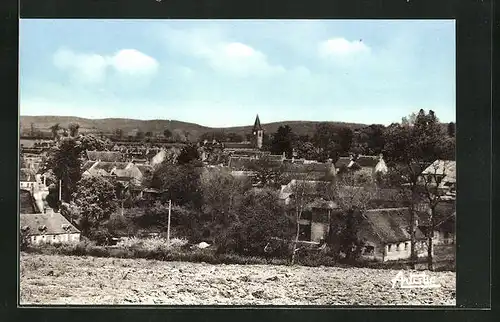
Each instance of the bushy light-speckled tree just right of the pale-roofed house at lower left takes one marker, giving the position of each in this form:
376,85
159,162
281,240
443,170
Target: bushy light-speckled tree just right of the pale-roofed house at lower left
96,200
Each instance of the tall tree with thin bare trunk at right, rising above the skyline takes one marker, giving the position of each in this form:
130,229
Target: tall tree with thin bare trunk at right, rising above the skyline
409,148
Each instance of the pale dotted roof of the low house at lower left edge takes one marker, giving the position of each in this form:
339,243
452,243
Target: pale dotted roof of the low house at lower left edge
54,224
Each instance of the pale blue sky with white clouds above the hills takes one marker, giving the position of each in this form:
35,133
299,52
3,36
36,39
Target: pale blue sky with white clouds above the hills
223,72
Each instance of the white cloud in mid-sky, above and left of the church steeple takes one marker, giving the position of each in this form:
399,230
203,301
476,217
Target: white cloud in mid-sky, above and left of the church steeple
229,57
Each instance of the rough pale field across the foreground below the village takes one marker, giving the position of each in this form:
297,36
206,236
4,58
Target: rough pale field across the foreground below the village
50,279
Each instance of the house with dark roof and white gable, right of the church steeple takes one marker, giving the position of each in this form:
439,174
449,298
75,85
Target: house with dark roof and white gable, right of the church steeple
362,164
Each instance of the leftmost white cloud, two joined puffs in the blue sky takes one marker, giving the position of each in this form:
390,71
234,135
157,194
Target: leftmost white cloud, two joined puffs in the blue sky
92,68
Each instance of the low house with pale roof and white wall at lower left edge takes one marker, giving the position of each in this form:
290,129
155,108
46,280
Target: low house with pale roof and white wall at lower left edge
51,228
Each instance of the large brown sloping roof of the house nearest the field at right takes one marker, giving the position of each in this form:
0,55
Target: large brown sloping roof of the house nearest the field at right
390,225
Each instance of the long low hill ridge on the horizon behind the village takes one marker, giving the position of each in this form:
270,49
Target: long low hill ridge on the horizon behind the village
109,125
